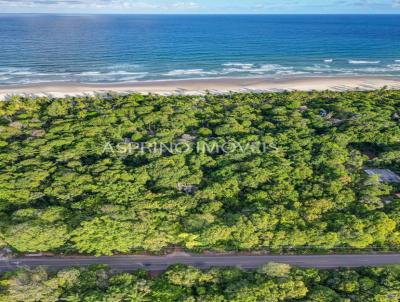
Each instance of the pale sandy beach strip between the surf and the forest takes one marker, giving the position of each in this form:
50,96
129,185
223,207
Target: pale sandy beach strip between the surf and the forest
201,86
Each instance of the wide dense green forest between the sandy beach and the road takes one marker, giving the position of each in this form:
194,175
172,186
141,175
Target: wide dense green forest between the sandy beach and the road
72,178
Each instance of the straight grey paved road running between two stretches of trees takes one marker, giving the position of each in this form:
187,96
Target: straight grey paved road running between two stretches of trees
129,263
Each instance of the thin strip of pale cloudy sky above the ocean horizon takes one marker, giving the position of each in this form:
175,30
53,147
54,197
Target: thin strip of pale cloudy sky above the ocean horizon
201,6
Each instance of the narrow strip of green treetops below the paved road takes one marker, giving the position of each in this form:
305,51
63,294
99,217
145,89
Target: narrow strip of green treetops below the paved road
272,282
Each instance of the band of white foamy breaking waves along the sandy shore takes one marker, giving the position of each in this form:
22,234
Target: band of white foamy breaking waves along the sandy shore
134,73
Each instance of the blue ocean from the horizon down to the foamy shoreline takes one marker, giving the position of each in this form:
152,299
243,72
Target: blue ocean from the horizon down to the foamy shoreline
129,48
